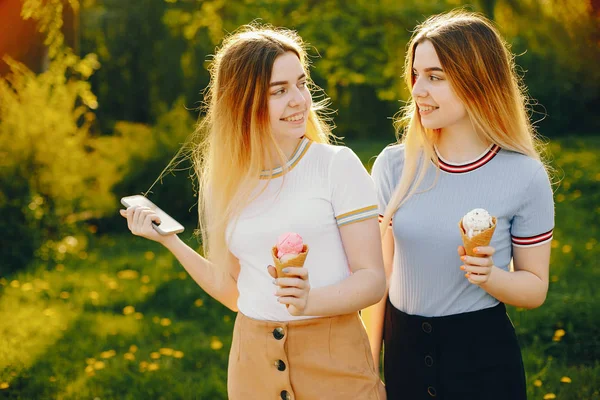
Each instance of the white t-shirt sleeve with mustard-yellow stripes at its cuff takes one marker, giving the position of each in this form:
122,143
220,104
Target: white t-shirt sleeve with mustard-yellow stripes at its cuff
352,190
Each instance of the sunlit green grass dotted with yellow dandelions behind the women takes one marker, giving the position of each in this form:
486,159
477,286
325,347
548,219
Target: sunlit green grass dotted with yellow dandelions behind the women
94,326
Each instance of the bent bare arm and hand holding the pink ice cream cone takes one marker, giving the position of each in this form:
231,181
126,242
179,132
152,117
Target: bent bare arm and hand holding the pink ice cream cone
363,288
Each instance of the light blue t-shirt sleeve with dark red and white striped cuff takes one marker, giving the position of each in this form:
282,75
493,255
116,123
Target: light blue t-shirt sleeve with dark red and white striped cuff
533,223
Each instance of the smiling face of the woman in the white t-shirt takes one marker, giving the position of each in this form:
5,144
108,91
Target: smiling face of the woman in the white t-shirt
289,98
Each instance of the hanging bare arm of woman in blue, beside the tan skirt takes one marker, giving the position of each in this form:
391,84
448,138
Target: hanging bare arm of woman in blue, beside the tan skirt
374,316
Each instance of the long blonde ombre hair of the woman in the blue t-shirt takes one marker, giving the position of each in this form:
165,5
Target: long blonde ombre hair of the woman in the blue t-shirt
481,70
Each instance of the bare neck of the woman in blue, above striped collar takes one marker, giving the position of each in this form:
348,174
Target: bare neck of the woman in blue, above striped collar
460,143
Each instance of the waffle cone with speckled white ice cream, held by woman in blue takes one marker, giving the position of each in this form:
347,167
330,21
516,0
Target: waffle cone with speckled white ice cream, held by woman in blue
476,229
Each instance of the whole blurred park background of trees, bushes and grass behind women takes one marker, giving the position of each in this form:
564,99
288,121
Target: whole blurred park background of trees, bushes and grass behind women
96,97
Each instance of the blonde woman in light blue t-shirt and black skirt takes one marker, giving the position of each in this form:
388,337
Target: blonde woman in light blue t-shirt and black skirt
467,143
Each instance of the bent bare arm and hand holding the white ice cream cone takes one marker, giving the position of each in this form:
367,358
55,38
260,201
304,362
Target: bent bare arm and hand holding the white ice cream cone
526,286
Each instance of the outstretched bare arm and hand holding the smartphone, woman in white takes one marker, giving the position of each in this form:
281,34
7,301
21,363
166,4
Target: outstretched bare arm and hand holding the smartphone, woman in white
219,282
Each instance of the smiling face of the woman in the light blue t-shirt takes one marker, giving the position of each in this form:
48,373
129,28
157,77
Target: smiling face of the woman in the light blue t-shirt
439,107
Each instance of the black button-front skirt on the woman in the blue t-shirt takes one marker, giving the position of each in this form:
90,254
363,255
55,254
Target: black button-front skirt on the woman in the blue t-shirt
470,356
